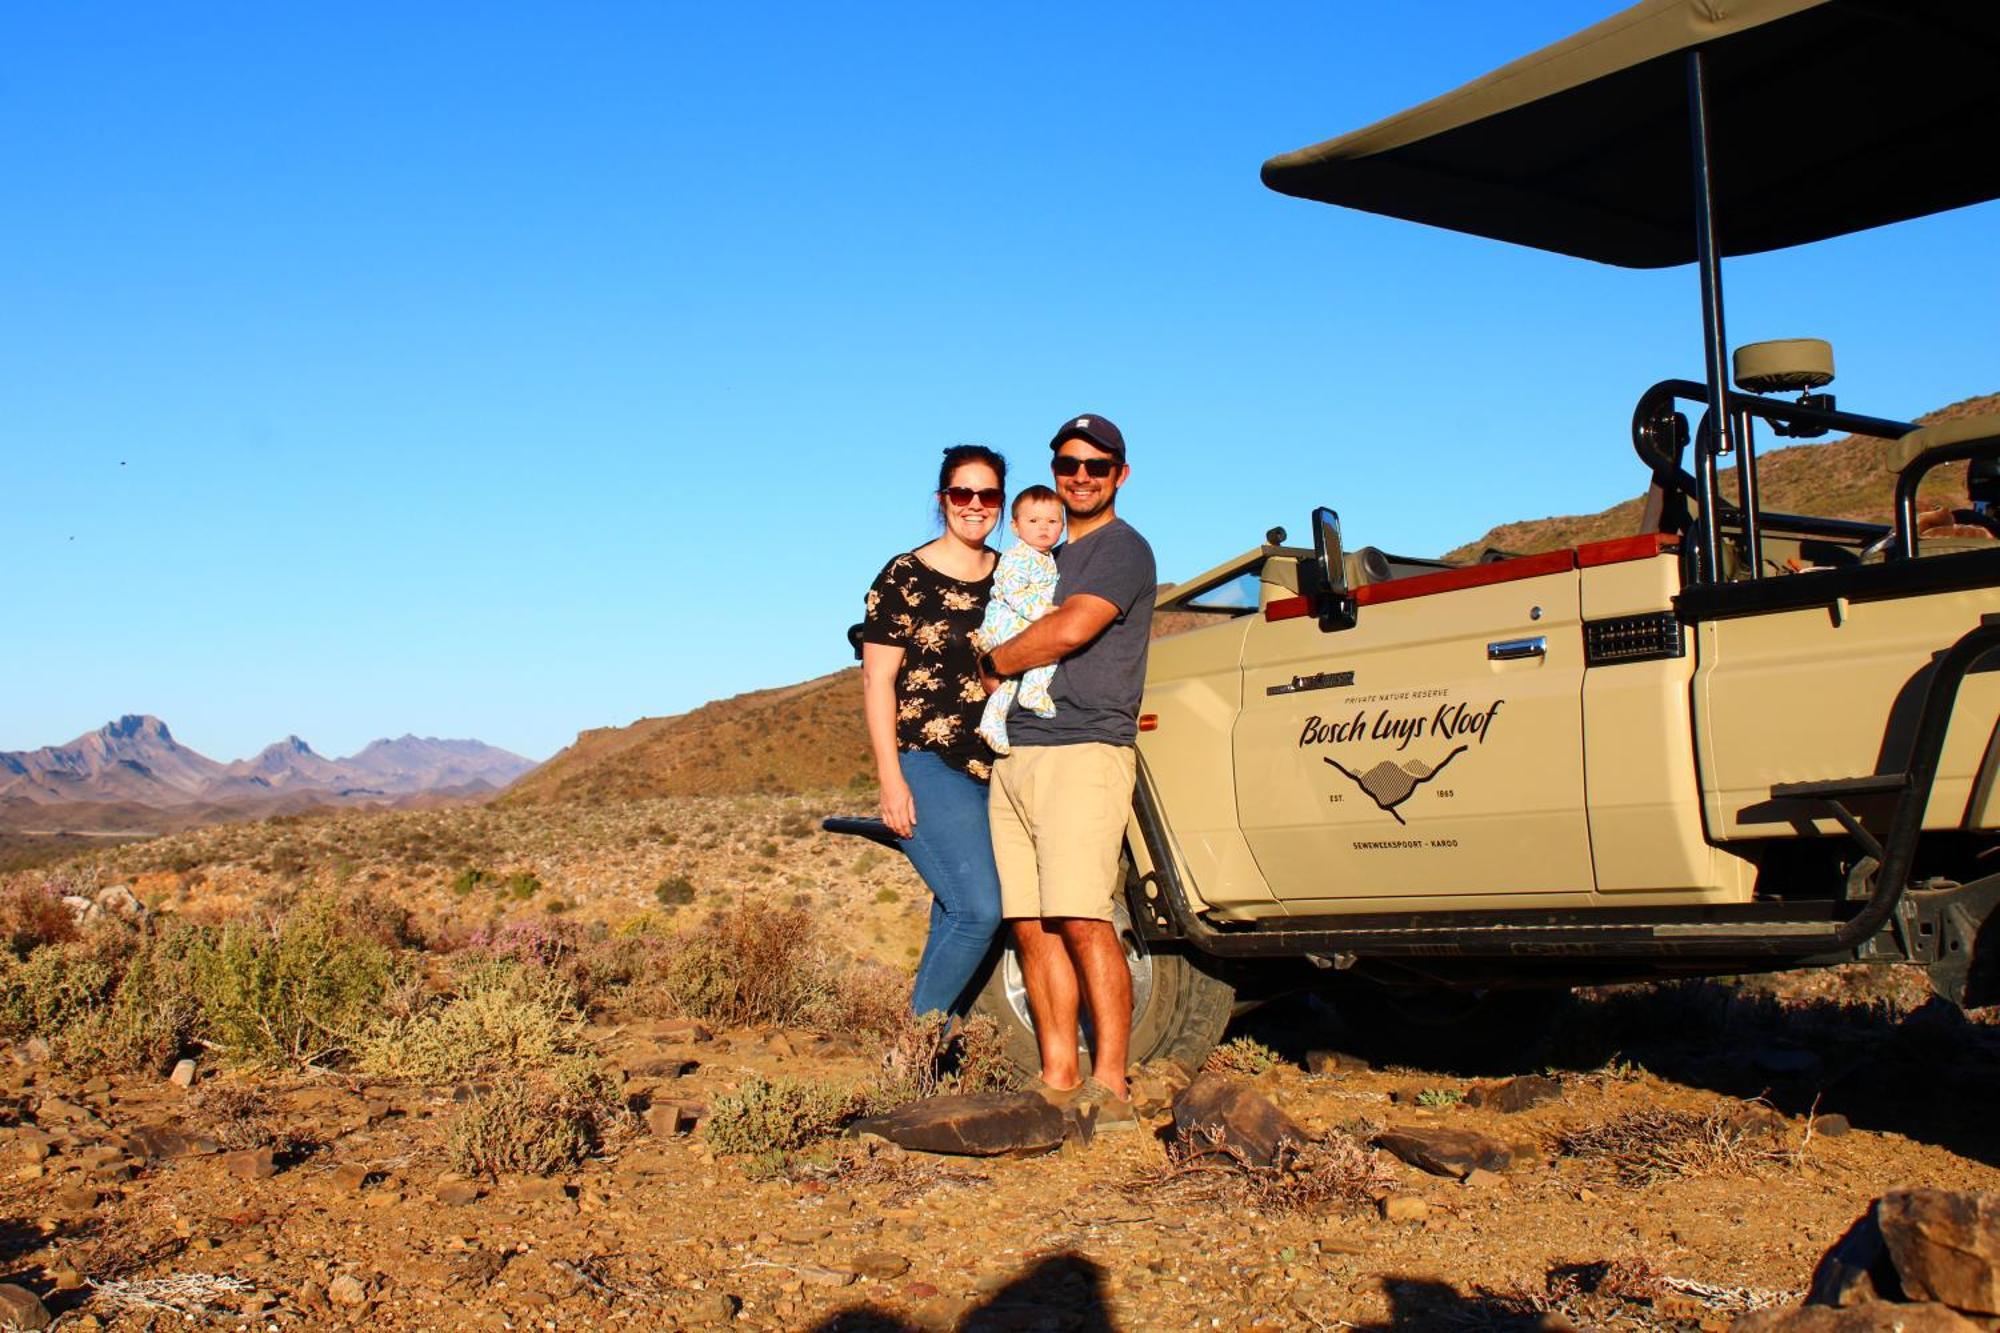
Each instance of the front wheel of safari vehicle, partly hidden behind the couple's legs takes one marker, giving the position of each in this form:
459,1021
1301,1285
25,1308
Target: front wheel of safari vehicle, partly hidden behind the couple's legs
1179,1008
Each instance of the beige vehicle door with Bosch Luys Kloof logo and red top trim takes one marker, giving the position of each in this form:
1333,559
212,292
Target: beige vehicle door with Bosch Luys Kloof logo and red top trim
1429,756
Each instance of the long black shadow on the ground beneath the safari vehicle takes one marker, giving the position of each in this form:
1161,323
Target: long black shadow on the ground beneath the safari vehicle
1923,1072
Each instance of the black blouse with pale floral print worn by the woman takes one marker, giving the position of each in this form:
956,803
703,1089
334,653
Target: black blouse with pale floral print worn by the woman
939,694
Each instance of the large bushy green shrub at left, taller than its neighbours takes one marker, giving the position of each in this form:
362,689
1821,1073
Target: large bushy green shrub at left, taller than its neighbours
289,994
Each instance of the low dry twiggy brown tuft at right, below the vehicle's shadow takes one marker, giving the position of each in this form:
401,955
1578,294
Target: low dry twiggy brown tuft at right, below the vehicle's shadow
1653,1146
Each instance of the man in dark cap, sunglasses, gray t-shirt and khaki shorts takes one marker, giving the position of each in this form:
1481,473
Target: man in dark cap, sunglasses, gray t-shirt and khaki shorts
1061,798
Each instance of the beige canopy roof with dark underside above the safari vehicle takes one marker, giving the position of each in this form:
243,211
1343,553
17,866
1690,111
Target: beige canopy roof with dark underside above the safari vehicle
1827,117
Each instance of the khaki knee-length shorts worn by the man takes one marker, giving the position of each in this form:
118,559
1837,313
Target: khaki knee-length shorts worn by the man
1059,818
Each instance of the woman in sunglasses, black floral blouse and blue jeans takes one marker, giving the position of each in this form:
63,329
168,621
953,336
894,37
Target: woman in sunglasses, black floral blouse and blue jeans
921,694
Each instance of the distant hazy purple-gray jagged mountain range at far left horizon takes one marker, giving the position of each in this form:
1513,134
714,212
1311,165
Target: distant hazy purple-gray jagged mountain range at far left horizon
135,774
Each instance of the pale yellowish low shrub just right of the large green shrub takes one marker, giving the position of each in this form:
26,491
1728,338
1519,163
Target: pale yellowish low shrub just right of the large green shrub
505,1018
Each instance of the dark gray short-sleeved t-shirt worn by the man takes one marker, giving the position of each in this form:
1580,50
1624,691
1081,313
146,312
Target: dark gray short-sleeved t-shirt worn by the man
1097,688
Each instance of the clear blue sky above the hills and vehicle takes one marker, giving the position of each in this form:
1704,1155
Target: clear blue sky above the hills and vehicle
499,371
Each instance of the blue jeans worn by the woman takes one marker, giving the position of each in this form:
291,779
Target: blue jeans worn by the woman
955,854
